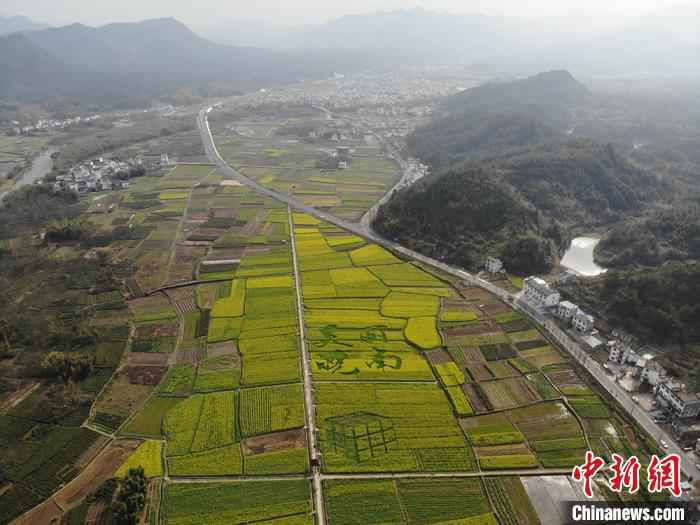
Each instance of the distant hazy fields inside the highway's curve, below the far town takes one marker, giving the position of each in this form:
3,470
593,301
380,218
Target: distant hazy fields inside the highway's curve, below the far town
284,156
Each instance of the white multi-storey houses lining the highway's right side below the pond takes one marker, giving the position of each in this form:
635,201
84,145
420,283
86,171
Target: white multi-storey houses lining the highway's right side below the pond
674,402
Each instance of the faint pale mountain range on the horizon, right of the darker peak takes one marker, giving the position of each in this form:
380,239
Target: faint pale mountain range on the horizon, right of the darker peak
665,42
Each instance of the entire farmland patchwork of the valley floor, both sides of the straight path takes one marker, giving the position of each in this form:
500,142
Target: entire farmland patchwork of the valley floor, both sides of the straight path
413,371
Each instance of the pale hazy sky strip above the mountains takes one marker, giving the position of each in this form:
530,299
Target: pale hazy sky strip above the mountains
96,12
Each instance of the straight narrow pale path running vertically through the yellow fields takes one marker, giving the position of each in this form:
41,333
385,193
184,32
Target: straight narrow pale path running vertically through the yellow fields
309,404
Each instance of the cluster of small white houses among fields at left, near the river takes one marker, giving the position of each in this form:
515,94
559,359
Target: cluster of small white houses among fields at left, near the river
105,174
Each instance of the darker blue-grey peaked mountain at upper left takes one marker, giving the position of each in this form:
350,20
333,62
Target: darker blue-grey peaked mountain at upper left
129,61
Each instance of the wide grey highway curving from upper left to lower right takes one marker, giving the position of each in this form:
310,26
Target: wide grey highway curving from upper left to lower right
689,460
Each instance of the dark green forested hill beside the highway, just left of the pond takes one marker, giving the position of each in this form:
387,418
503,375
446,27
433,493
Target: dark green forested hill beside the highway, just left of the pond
516,204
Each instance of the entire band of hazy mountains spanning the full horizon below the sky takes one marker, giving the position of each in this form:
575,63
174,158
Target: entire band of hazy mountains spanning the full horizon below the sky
129,62
